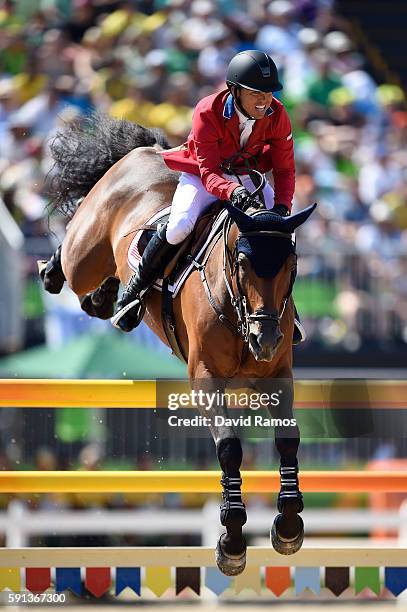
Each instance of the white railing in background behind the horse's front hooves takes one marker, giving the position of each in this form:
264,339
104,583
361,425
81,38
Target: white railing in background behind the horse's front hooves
18,523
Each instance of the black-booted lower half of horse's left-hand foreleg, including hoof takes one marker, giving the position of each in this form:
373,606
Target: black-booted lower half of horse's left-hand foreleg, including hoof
231,546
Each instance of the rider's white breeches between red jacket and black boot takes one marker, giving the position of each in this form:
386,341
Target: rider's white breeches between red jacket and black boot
191,199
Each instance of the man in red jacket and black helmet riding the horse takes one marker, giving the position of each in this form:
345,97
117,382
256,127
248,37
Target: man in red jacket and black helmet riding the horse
241,123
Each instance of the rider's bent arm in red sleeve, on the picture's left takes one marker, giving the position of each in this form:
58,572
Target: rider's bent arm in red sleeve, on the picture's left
207,138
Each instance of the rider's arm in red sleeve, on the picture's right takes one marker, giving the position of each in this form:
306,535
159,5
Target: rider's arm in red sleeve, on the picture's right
278,157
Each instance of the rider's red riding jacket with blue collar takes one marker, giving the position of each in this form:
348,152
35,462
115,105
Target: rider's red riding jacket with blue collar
215,137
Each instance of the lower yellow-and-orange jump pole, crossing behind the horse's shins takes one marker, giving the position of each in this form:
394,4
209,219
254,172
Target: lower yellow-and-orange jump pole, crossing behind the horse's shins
195,482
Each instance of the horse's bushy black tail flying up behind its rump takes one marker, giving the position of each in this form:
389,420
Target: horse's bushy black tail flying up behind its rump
83,152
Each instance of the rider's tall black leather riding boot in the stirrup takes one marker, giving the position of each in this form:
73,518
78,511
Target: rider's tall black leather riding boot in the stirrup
130,308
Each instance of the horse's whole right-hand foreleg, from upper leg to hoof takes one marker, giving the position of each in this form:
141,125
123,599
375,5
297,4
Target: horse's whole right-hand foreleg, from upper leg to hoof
287,533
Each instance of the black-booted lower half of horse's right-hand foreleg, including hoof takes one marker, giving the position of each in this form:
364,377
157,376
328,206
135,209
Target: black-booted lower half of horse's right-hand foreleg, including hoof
287,533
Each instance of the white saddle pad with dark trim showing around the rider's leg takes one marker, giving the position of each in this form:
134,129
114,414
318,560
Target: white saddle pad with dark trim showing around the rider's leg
134,253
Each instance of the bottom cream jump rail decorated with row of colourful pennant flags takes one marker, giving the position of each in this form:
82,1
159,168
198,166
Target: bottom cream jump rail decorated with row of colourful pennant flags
170,570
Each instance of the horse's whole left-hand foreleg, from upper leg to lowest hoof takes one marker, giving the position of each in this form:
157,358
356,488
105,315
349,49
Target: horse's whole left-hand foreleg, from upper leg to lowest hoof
231,546
